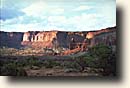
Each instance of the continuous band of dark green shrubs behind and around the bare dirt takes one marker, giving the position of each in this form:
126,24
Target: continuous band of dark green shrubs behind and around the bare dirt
99,56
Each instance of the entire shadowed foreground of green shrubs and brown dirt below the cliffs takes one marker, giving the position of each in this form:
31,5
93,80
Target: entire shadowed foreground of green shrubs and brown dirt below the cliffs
98,60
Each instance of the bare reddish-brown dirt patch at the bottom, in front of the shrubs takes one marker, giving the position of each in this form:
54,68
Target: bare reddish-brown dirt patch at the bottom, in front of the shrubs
57,72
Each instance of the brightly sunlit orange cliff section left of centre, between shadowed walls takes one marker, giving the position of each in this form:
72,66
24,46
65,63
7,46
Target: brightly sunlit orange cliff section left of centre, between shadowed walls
41,39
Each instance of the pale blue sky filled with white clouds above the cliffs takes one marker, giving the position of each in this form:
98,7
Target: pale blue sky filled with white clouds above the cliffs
64,15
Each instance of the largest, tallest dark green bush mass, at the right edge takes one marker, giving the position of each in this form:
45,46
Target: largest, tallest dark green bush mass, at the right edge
99,56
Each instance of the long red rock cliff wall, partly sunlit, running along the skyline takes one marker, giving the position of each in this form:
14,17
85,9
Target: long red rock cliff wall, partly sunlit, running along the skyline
44,39
